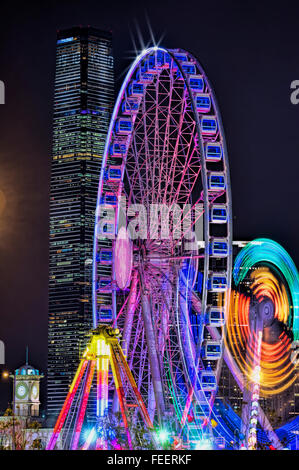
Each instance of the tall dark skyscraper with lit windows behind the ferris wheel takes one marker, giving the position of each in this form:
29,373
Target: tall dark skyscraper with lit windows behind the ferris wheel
84,95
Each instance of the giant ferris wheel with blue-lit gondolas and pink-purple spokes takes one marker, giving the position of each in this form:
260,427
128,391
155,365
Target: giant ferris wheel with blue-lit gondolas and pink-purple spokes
162,251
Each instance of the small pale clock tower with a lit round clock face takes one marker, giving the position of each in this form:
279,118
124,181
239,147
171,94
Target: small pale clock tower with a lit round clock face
26,391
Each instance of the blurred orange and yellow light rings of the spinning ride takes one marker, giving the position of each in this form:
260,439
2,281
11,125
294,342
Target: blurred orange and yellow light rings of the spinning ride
277,371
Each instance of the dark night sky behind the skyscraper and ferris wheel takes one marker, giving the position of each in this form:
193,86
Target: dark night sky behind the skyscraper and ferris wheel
250,51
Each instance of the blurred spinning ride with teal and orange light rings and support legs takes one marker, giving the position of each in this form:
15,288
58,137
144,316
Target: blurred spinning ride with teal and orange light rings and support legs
262,329
